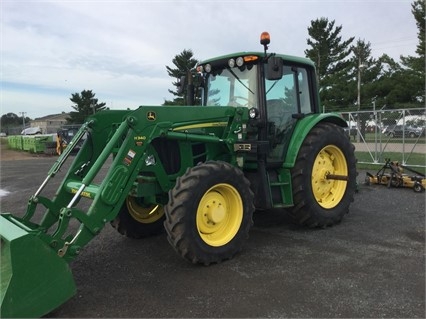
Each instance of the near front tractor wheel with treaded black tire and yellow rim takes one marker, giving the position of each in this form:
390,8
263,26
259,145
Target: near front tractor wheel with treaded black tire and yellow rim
209,213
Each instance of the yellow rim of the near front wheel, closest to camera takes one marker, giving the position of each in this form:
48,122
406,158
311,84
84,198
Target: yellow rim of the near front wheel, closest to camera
219,215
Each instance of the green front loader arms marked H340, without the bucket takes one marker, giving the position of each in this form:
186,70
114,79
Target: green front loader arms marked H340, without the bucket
127,143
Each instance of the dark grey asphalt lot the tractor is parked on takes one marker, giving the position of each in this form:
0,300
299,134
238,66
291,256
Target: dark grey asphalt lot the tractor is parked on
371,265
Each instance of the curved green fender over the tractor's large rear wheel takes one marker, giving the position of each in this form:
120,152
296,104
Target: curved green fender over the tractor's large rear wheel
302,129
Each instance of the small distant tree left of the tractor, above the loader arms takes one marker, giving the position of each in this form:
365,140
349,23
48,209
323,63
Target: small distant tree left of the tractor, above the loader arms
85,104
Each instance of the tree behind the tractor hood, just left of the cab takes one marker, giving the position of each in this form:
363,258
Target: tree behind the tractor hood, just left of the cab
185,66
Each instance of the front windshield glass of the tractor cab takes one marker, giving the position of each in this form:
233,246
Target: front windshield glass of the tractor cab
232,87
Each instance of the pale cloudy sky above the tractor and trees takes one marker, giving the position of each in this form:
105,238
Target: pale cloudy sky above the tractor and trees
120,49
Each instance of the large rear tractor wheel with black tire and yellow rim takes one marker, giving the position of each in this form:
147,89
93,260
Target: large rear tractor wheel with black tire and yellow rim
321,202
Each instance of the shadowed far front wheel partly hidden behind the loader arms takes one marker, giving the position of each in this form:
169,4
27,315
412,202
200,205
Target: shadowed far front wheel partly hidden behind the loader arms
137,220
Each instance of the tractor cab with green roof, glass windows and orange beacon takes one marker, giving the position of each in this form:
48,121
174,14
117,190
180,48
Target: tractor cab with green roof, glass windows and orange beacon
277,89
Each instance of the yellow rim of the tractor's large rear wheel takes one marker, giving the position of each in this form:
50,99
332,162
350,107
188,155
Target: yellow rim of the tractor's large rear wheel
328,192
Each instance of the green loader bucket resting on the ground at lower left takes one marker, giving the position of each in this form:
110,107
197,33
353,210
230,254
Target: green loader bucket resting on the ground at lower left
34,279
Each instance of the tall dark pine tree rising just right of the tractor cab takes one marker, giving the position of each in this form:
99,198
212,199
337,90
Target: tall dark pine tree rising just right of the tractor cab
330,54
